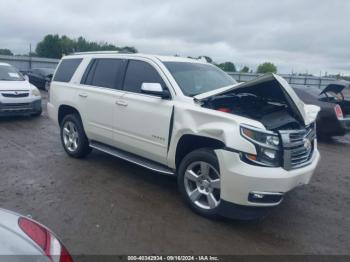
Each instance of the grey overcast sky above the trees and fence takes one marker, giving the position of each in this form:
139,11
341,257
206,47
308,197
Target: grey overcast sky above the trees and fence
296,35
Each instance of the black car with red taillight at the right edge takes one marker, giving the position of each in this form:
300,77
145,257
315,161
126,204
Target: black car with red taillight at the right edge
334,117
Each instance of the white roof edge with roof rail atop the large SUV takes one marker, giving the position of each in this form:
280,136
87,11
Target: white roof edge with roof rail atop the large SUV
162,58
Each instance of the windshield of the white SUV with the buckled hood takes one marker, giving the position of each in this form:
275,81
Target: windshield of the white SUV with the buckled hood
195,78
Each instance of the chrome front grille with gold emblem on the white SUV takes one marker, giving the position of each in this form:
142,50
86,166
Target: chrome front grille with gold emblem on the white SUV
298,146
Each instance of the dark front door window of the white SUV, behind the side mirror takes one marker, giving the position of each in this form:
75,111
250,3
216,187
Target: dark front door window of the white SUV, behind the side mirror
139,72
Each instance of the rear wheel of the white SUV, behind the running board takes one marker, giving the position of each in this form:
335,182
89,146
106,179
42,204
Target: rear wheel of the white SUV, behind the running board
73,137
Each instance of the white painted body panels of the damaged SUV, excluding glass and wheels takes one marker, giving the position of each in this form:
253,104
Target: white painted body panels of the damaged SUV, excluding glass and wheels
139,123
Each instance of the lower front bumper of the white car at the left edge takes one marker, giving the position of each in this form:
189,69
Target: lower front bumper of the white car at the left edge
16,109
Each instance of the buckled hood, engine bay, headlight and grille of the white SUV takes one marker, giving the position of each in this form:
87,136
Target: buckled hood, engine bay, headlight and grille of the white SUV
289,139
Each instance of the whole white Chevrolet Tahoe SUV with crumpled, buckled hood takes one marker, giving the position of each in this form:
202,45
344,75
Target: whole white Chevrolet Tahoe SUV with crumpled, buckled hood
236,148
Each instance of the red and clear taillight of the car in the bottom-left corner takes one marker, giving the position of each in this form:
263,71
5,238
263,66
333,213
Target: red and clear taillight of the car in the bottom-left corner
50,245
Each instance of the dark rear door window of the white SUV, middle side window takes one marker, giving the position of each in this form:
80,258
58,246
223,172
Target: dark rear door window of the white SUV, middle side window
103,72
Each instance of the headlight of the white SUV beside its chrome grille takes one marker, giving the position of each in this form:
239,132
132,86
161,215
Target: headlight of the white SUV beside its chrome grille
267,146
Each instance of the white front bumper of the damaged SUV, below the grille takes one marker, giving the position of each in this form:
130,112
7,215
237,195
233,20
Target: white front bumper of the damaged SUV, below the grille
239,180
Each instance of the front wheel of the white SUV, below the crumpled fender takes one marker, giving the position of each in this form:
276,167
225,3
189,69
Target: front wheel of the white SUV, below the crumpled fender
199,182
